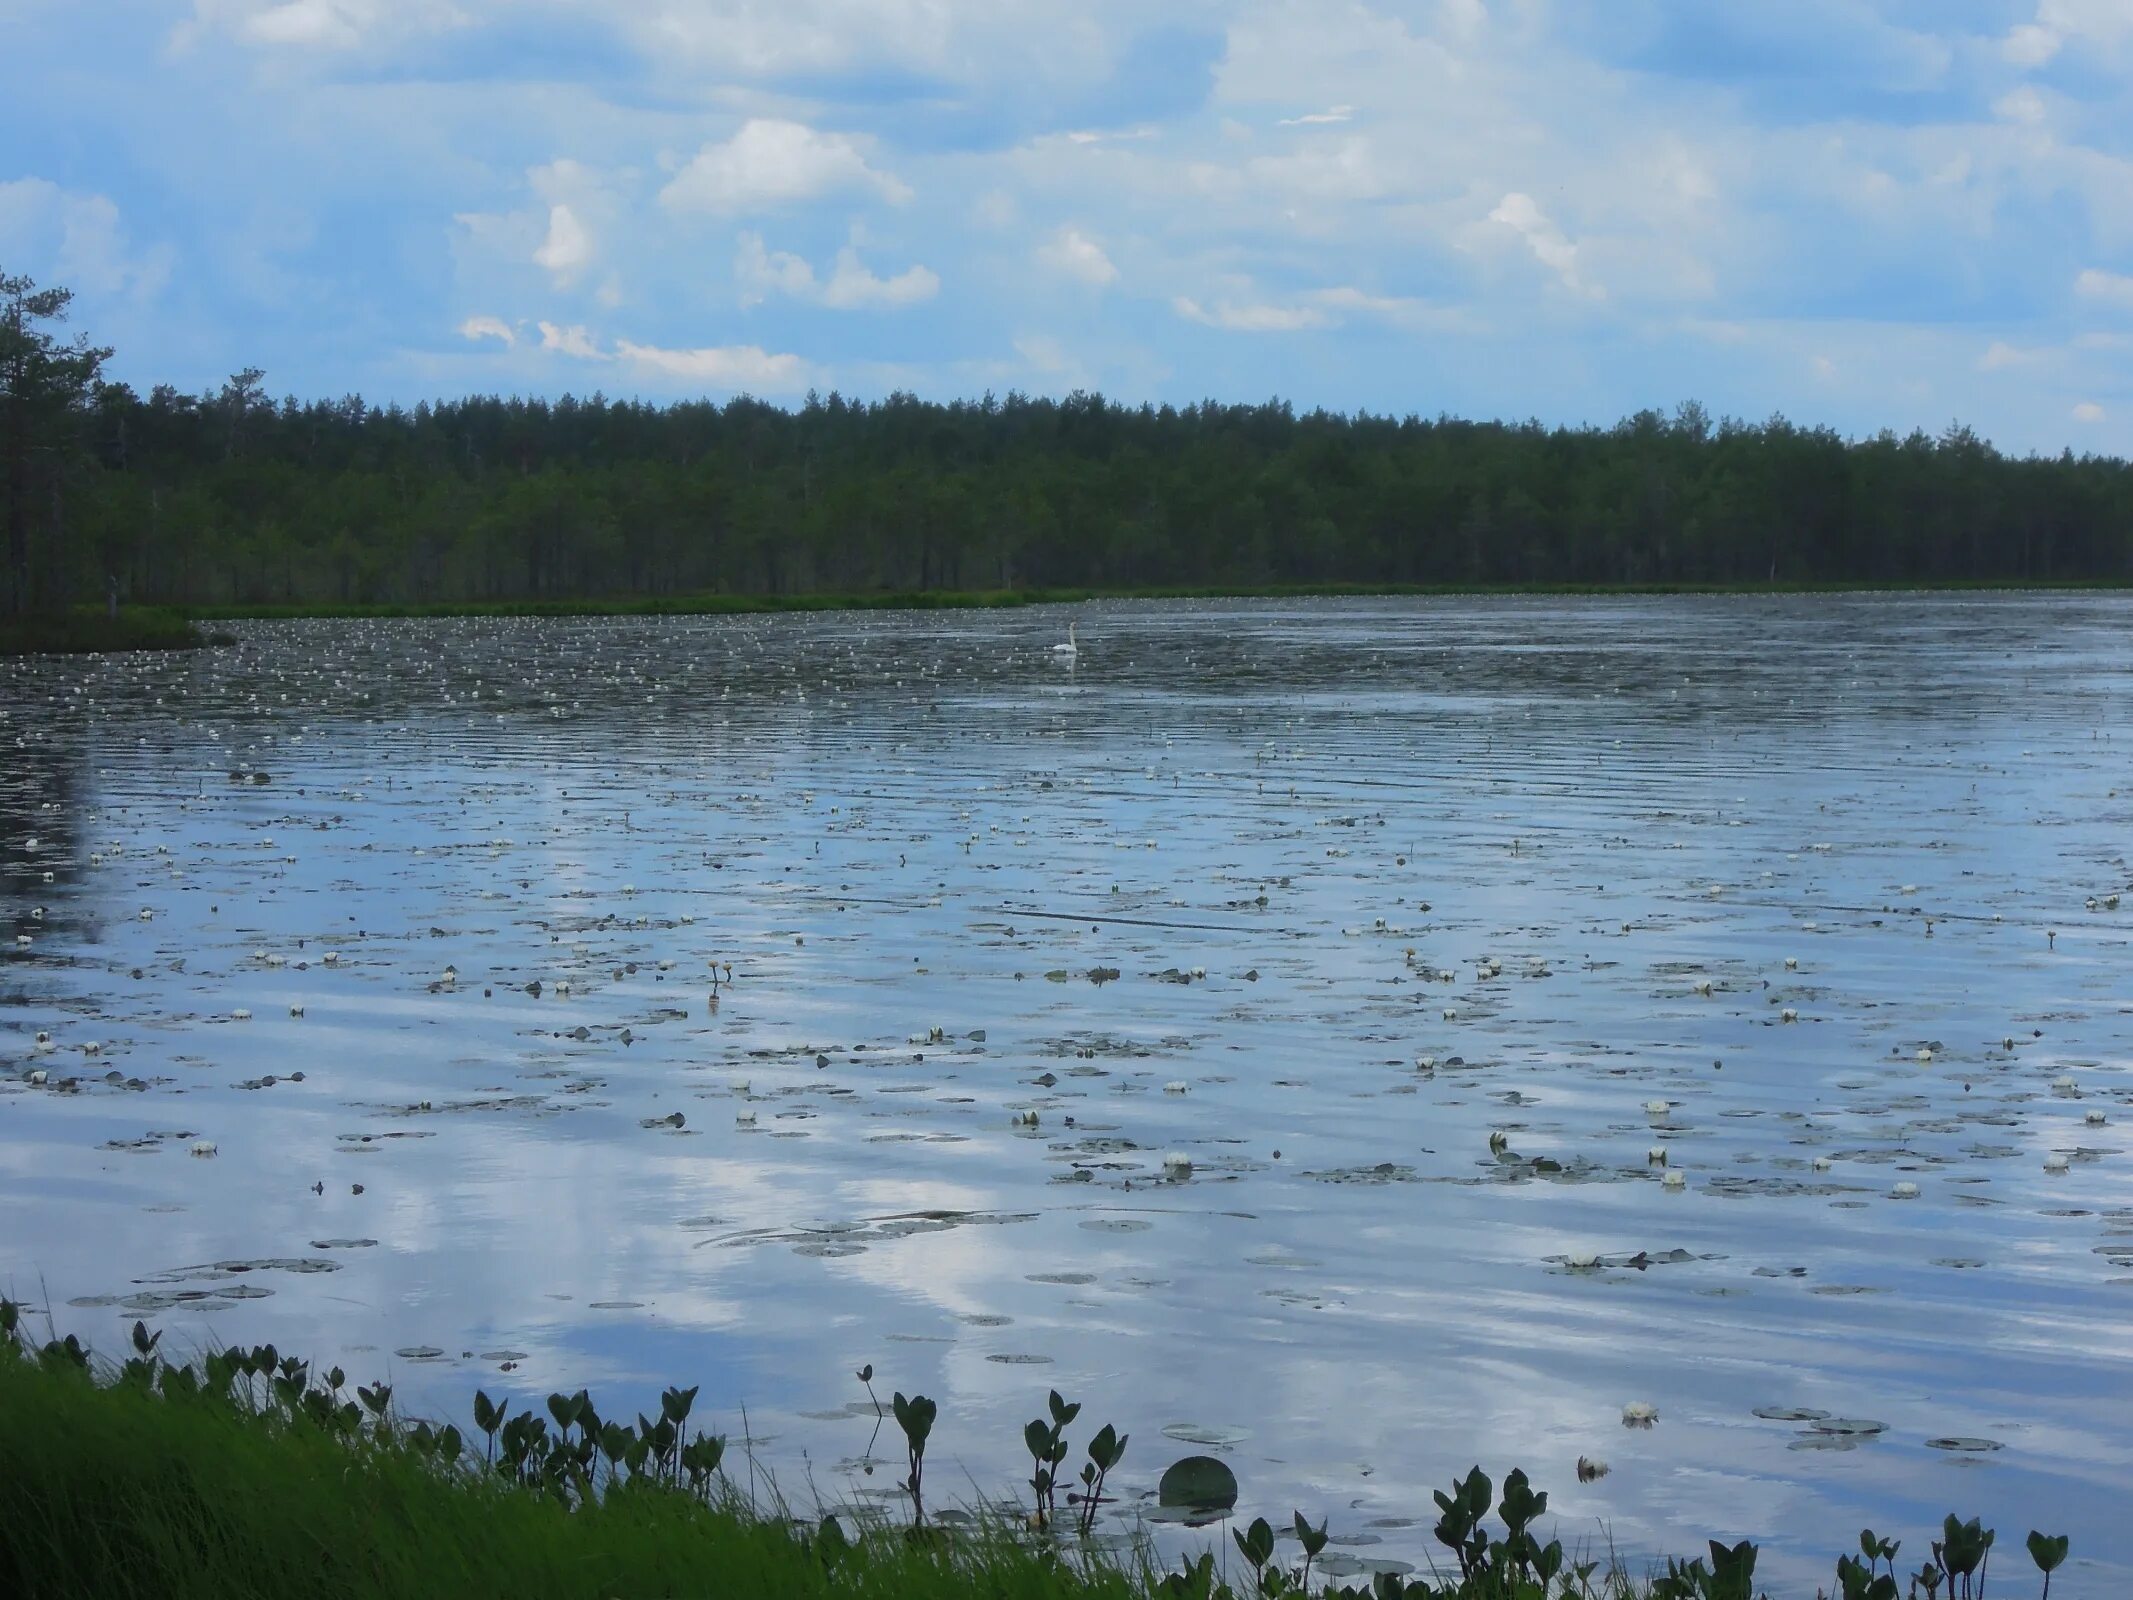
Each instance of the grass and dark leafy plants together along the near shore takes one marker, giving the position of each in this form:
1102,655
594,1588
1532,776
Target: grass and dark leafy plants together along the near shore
246,1473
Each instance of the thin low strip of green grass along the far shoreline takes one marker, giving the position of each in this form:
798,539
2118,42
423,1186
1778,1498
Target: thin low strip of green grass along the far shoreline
726,605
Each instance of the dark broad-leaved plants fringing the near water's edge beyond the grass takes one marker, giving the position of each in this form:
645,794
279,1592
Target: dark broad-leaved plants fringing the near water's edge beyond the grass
596,1469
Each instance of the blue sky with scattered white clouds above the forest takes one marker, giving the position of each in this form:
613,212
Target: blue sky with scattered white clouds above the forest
1865,214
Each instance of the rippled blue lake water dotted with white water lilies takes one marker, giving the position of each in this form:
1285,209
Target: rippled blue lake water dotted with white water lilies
1219,891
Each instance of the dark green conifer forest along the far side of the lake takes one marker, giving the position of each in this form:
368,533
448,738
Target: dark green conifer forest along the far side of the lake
240,498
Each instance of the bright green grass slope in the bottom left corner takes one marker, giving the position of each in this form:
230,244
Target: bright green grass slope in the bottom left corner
114,1494
